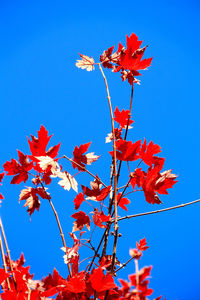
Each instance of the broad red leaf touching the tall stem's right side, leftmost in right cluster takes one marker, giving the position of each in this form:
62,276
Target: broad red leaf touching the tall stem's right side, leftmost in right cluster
127,151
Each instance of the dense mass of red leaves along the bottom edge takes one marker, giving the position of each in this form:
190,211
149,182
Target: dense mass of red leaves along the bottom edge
19,284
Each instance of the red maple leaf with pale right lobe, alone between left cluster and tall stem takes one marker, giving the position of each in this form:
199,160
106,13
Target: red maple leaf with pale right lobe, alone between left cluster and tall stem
81,158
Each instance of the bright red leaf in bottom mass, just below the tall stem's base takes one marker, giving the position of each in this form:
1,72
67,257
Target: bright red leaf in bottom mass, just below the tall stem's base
101,282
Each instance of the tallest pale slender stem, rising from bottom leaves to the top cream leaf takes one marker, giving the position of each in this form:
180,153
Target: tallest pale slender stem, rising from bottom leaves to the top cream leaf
115,168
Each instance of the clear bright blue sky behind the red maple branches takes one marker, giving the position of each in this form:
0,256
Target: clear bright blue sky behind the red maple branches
39,84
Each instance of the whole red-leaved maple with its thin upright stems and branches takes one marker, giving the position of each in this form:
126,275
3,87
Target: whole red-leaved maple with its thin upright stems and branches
144,172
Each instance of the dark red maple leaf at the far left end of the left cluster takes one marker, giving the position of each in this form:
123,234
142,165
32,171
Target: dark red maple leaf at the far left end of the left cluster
19,169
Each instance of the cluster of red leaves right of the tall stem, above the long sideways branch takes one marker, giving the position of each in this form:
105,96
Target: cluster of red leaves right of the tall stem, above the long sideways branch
152,181
